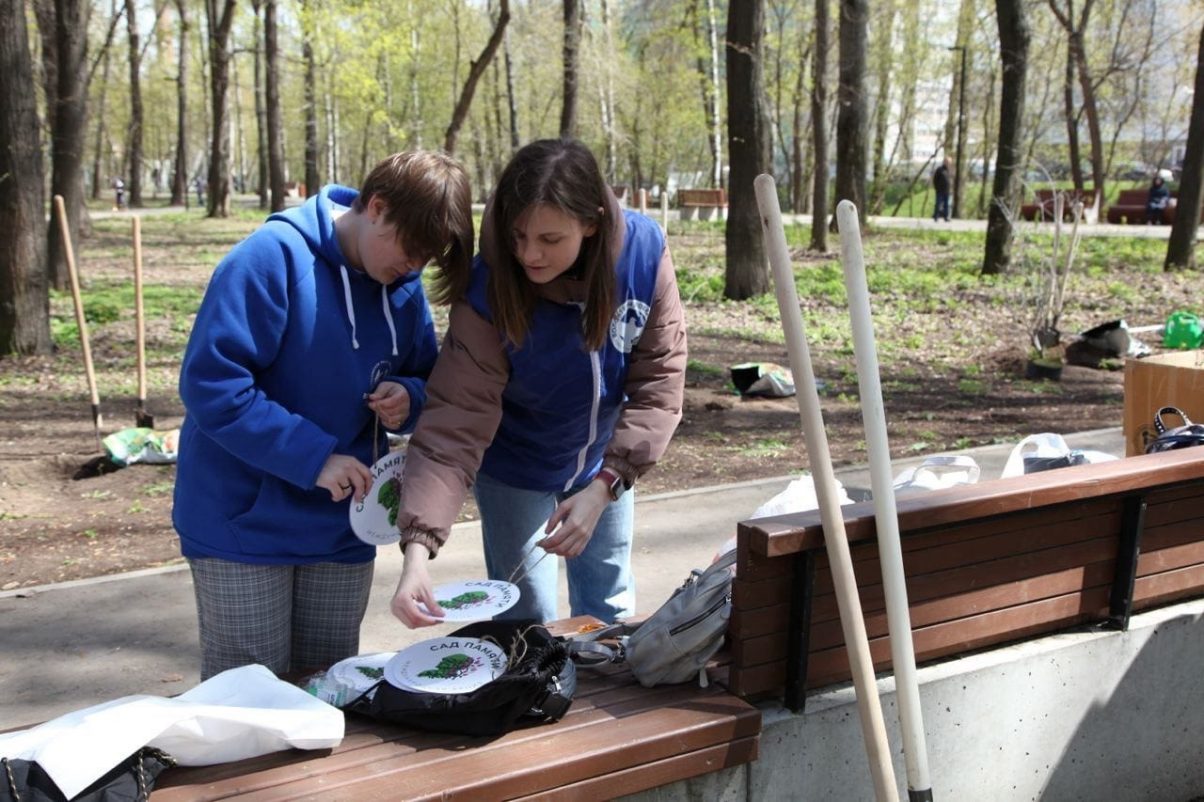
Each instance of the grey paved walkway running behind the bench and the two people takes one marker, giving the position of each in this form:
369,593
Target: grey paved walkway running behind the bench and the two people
80,644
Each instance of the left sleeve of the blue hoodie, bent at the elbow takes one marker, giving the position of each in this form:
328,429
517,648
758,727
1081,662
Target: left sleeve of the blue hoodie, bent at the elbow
237,335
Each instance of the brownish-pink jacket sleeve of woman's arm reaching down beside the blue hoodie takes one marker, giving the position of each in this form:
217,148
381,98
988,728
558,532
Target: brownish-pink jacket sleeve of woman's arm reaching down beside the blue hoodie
464,409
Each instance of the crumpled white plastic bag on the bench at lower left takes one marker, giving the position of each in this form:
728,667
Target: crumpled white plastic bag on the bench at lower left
239,715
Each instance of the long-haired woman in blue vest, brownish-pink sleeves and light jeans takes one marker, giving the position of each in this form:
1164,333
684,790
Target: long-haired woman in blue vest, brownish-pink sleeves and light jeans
559,385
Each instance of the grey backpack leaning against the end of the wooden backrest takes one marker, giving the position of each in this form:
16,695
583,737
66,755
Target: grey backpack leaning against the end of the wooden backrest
675,644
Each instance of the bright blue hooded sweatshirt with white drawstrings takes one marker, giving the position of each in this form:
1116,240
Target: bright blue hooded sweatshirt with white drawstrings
287,343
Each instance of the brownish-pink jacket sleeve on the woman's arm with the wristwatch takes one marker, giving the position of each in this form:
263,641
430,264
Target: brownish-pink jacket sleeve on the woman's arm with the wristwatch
656,384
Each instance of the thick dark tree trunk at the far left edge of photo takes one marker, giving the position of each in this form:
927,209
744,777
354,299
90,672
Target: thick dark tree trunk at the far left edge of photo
25,285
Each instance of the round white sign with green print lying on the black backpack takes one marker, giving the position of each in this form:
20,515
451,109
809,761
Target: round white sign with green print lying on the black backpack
446,665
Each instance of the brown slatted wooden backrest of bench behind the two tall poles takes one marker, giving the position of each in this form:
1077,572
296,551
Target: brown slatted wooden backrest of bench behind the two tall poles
987,564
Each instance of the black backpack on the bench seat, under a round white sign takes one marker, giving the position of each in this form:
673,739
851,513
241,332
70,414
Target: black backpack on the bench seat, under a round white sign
538,687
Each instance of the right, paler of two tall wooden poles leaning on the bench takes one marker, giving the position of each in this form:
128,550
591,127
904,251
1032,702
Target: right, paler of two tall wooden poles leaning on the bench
890,550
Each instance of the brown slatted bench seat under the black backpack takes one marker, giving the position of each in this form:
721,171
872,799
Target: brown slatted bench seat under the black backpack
617,739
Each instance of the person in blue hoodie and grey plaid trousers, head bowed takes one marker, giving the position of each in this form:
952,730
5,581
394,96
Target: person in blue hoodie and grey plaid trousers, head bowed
311,329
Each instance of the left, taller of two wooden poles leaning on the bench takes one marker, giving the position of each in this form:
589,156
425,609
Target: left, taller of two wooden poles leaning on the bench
835,538
